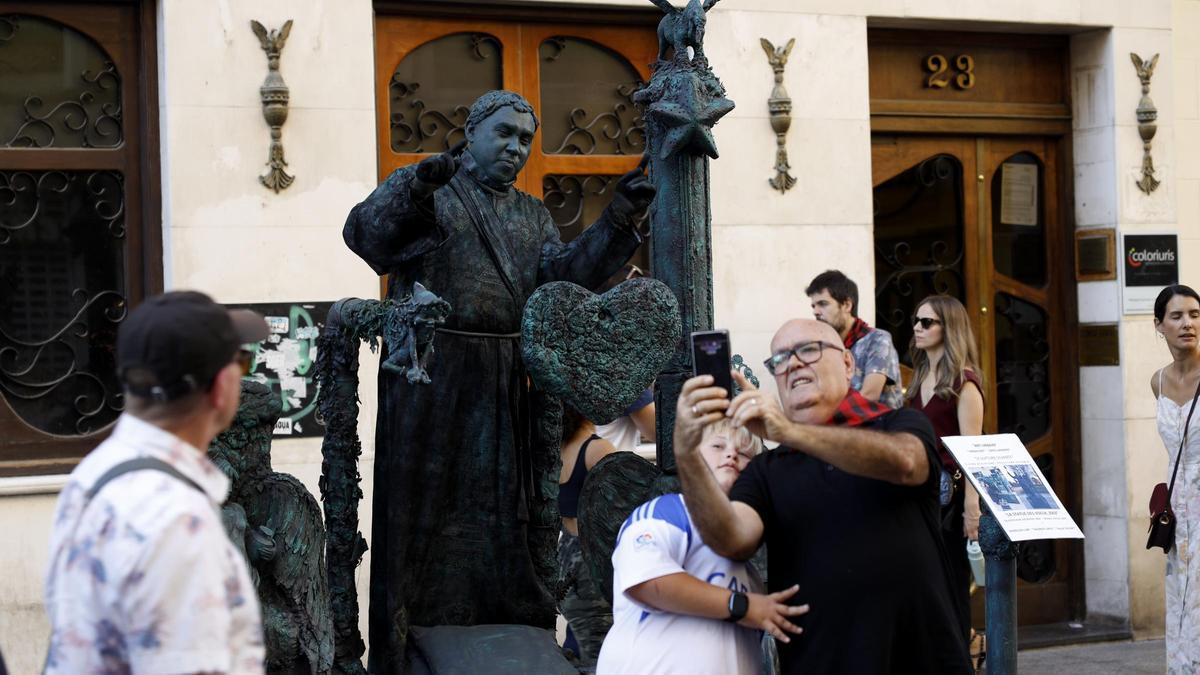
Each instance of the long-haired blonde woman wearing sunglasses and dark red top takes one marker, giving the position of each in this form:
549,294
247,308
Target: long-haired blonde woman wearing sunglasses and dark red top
946,386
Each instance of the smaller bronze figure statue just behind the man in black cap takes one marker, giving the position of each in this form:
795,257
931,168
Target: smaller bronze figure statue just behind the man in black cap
278,524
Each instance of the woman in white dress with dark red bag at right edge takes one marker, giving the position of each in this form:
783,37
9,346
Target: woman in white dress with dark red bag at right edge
1178,321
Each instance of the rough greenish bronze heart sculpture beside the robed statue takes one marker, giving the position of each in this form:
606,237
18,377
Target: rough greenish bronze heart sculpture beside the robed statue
597,354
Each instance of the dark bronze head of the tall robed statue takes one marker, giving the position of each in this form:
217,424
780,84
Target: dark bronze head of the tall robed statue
500,134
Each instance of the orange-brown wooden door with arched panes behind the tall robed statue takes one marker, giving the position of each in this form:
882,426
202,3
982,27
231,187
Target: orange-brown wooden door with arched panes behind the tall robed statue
579,77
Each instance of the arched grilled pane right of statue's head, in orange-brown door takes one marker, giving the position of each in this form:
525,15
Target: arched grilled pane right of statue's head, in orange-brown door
587,98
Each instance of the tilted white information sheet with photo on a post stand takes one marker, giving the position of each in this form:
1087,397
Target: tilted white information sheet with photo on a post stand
1013,487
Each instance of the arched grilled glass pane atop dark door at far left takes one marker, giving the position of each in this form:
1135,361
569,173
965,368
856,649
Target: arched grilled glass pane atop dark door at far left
61,89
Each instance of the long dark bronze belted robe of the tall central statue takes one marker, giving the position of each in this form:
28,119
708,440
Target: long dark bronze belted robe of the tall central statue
466,476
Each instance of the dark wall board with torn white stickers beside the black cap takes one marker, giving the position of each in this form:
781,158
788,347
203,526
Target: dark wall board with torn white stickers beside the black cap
286,362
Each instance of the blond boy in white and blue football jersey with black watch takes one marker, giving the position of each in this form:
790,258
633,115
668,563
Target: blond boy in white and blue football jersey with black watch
677,606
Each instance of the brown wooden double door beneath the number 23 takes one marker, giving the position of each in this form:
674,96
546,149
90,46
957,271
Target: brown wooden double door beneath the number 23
943,225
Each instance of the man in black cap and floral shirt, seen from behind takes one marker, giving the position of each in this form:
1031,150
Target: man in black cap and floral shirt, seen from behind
142,576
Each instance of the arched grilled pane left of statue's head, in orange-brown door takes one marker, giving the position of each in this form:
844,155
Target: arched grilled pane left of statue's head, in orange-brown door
464,67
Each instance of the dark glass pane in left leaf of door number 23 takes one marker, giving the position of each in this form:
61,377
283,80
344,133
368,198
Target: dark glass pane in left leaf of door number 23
919,243
